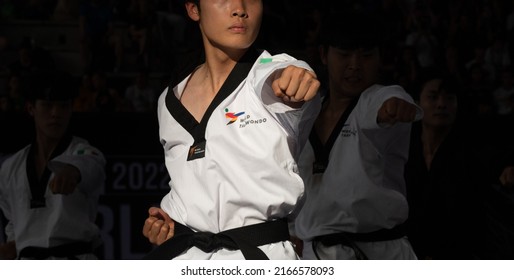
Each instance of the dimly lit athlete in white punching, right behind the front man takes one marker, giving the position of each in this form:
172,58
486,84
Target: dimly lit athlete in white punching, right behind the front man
353,164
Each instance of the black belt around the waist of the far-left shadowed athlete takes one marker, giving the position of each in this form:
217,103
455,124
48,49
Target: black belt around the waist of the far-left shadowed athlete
68,251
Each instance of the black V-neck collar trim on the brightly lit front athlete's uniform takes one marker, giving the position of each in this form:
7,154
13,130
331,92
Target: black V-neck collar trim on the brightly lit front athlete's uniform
187,121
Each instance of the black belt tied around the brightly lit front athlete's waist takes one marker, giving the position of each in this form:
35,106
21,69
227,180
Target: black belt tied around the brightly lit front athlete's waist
247,239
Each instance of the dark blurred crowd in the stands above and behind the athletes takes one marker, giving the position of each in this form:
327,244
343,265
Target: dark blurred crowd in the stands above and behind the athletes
473,40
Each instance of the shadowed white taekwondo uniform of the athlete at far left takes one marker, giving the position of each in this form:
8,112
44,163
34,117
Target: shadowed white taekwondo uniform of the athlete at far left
65,218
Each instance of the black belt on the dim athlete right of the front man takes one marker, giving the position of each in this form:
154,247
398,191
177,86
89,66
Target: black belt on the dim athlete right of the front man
348,239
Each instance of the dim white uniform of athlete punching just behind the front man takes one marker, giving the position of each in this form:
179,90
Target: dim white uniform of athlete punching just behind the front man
362,189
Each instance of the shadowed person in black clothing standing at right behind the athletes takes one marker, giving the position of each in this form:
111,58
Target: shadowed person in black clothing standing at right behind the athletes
444,178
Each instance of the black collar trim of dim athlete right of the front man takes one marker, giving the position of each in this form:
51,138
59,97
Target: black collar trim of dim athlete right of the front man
322,152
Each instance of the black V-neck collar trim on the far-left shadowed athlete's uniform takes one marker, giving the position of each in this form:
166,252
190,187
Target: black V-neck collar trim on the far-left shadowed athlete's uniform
38,185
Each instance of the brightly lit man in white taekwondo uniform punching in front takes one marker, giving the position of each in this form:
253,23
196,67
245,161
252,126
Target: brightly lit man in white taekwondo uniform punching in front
235,167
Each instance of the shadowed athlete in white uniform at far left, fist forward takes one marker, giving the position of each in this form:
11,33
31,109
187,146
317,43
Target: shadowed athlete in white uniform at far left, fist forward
49,189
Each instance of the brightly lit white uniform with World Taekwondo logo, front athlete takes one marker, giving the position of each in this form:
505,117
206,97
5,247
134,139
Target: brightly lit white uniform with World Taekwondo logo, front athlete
249,173
